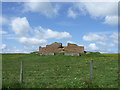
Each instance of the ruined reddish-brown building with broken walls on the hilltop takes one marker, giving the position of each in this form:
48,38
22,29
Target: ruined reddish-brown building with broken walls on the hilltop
57,47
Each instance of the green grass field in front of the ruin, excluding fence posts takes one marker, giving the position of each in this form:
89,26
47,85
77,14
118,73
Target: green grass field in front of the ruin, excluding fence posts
60,71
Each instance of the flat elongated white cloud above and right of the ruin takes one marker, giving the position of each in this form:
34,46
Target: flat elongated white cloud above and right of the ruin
93,37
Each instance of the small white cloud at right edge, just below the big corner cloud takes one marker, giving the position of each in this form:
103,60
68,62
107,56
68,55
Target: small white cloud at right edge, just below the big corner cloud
111,20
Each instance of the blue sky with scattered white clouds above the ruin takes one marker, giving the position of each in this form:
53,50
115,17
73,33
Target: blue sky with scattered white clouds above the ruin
28,25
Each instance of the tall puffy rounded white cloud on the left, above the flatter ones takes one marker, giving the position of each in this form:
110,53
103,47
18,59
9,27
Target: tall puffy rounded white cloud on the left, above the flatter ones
20,26
